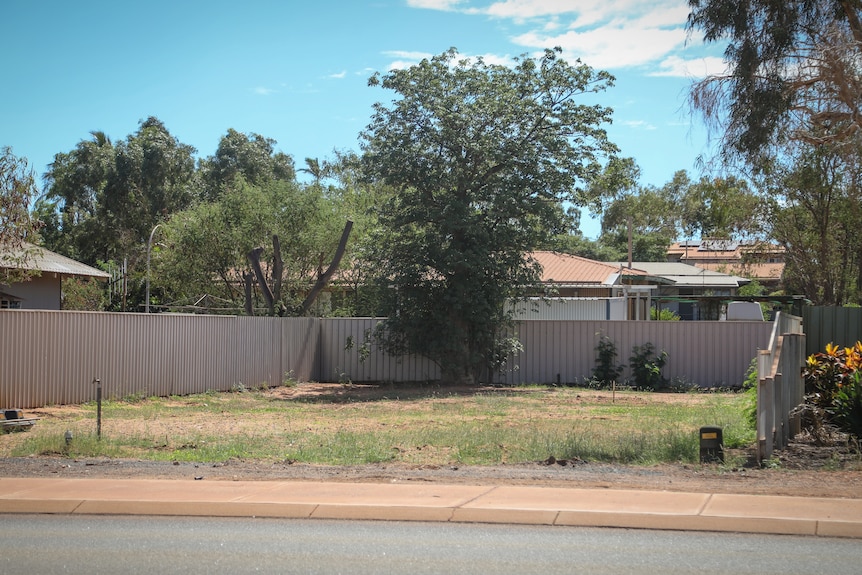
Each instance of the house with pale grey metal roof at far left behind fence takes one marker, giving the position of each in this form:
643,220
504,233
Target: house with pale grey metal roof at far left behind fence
43,289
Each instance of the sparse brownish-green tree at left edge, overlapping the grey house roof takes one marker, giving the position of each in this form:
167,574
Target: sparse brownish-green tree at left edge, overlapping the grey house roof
18,227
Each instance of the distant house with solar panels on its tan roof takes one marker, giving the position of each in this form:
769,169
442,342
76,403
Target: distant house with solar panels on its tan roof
753,259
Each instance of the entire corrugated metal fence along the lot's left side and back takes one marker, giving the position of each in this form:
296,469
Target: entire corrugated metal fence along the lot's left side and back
49,357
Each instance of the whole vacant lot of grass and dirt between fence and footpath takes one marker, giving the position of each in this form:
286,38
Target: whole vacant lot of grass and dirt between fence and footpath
351,432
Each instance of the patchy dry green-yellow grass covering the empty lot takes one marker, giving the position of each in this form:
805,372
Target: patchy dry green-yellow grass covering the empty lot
424,425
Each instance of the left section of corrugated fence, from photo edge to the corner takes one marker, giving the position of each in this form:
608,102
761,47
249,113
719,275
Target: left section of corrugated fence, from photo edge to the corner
50,357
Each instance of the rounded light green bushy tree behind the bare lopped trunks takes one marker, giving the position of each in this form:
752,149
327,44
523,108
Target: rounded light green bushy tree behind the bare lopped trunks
202,257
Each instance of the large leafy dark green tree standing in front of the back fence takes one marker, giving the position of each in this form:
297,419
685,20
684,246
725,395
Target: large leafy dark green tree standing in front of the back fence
482,158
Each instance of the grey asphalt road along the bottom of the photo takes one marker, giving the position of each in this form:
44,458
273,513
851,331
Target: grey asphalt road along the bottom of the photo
48,544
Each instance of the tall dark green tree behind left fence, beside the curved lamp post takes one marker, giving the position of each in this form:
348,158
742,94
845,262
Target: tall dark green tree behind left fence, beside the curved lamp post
111,196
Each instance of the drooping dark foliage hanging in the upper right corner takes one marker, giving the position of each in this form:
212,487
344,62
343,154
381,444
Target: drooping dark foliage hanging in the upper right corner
793,72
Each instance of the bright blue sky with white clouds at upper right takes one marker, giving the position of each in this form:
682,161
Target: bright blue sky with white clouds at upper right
297,71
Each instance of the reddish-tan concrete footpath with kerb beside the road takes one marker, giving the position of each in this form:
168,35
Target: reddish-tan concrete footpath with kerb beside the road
433,502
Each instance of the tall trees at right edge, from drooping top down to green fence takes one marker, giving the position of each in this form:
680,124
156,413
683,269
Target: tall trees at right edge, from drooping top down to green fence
790,108
